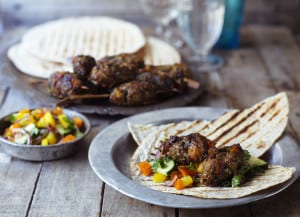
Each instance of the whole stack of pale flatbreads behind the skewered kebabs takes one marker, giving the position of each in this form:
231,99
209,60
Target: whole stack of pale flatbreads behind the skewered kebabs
49,47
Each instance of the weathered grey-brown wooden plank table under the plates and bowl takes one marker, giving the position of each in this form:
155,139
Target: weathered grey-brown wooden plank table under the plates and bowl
268,61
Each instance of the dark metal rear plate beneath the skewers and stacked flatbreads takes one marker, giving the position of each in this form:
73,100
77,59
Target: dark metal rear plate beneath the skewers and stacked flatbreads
37,89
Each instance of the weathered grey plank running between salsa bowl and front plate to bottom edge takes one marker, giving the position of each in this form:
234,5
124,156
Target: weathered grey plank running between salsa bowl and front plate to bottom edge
68,187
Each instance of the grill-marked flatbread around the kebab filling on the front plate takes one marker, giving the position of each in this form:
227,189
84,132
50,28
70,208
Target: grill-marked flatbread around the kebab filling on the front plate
256,129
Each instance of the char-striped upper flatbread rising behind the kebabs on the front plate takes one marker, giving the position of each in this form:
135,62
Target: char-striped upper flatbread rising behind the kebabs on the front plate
256,128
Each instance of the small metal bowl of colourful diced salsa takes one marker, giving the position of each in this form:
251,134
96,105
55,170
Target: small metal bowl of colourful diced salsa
41,134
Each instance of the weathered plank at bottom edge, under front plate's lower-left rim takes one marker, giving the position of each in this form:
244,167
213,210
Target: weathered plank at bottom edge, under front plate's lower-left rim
117,205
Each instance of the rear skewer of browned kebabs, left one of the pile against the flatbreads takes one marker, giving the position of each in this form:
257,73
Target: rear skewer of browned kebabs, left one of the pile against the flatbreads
93,77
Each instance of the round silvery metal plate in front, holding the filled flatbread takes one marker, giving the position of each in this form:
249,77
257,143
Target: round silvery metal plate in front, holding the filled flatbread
112,148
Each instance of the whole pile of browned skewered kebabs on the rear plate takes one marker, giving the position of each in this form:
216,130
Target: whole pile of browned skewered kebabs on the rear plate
142,85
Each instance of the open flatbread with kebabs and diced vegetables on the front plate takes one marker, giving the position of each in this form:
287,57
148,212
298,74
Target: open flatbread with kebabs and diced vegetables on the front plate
209,157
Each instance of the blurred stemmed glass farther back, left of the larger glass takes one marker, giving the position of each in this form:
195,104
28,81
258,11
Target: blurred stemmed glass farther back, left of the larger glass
162,12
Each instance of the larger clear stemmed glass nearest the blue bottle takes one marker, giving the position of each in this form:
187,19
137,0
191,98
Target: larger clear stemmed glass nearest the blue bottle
201,22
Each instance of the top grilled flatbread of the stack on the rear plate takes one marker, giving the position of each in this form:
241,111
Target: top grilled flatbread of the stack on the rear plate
59,40
